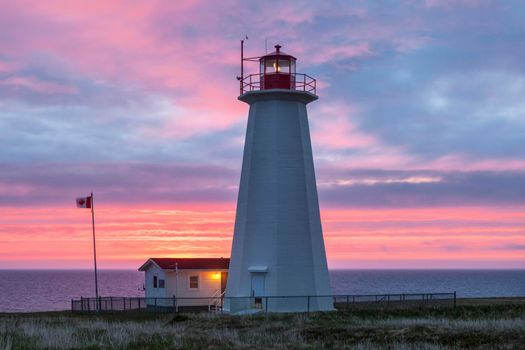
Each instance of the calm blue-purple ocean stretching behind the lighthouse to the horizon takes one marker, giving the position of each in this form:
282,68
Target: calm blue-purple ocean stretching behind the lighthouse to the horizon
49,290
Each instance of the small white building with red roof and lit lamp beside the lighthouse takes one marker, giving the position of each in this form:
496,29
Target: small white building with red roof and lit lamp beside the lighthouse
191,281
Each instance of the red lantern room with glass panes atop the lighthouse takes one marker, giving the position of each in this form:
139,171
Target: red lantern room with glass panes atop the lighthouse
277,70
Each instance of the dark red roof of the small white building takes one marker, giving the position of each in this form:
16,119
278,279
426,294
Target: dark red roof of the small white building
188,263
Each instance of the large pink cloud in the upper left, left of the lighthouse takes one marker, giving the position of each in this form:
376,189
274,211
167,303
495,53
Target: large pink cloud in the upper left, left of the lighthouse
141,49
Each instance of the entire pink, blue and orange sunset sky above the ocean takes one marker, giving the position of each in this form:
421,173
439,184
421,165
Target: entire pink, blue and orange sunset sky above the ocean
418,134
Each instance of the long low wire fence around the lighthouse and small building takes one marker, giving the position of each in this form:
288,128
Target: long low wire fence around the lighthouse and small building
308,303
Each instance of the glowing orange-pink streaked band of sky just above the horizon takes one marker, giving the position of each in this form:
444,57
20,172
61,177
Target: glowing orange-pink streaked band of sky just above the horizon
443,237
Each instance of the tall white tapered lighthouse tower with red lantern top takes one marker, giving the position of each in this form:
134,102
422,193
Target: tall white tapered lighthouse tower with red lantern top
278,259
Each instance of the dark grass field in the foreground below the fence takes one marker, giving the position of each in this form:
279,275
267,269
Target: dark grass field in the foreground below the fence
474,324
